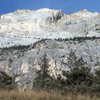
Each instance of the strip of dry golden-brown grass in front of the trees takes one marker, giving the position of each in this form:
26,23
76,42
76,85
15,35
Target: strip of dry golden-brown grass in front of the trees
42,95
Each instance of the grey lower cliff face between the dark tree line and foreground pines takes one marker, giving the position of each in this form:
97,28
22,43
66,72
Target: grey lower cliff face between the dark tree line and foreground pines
23,63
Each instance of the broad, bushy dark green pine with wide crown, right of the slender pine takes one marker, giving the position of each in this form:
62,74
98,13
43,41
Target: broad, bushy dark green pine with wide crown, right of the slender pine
79,74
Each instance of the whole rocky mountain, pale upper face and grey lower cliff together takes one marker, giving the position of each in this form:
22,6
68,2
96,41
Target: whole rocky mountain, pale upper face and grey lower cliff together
22,48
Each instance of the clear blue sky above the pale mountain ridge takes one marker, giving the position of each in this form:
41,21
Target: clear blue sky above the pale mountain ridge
68,6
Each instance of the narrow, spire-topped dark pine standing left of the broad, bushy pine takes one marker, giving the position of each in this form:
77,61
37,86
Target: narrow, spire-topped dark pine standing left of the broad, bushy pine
43,79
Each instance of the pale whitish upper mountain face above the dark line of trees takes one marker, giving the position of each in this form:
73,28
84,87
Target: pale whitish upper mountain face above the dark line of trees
28,26
